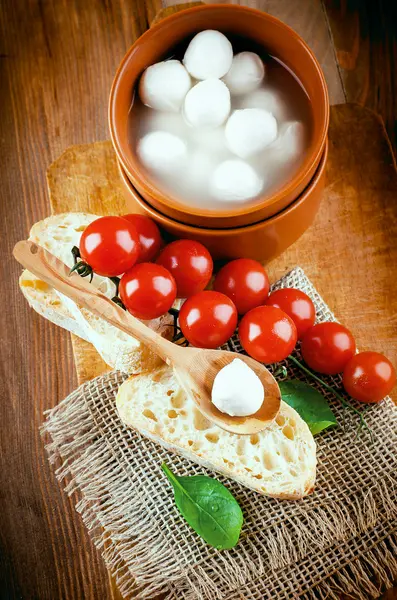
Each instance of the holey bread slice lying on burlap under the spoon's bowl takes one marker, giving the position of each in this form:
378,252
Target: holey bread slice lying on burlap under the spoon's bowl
279,461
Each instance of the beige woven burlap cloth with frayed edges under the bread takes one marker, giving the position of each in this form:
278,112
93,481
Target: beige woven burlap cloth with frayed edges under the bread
341,539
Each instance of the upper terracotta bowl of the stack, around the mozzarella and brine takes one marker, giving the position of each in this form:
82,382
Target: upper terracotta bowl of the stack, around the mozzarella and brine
278,40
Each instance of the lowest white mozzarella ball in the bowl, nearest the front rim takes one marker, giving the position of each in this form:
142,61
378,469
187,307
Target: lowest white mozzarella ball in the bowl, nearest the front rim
235,180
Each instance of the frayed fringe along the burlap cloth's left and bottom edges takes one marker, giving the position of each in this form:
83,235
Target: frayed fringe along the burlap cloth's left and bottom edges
130,547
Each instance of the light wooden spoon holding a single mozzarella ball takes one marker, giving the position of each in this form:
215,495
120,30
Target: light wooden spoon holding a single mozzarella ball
194,368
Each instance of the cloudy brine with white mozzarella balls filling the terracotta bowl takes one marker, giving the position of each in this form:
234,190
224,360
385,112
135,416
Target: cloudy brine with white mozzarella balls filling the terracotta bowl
224,142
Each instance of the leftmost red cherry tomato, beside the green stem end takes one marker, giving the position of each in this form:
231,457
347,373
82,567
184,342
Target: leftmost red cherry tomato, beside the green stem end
110,245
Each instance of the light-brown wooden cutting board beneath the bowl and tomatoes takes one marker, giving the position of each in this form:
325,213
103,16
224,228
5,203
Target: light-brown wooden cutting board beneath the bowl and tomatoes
347,252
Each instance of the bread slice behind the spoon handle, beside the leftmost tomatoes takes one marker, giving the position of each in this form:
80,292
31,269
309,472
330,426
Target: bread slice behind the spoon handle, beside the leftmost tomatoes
58,234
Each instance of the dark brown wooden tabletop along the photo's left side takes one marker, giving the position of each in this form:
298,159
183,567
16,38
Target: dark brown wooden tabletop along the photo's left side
57,61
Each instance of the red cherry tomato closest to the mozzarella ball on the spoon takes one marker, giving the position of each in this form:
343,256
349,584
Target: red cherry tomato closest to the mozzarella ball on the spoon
267,334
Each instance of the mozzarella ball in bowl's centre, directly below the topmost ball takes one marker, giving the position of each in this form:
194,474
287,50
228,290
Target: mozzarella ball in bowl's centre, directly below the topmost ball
207,104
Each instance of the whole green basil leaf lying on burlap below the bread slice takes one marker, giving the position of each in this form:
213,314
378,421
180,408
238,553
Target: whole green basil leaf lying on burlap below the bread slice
208,507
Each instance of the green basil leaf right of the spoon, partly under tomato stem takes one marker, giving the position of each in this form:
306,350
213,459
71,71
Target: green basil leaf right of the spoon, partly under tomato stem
309,404
